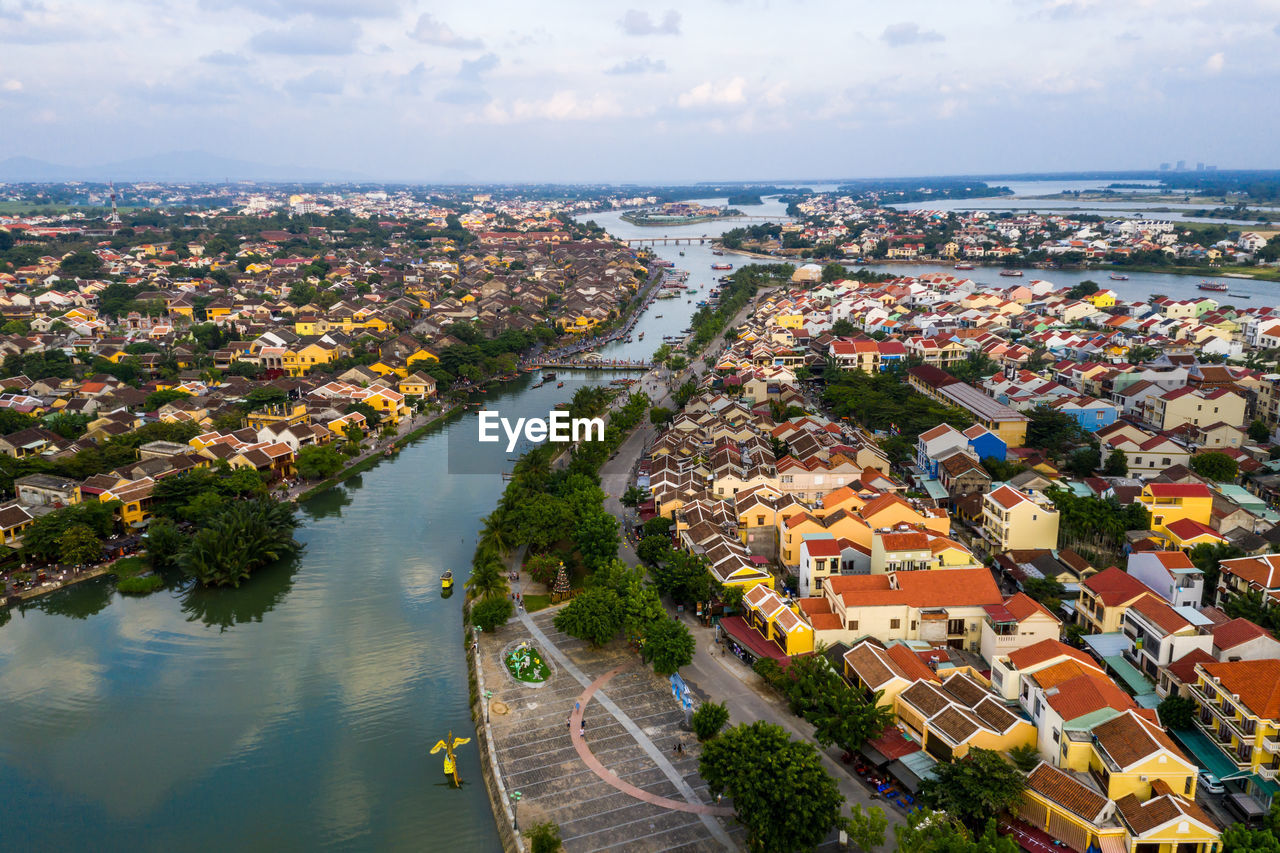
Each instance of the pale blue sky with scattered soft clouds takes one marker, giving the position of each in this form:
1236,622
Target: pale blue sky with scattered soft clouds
637,92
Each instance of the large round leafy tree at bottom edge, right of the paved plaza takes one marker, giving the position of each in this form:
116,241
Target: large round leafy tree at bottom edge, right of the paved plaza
781,793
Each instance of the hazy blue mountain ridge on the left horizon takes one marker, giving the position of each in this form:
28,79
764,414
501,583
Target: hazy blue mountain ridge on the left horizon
170,167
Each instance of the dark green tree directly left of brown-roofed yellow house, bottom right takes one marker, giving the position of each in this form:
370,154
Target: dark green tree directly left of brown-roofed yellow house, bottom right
975,788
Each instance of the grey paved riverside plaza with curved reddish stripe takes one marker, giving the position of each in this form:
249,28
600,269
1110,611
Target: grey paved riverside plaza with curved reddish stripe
633,727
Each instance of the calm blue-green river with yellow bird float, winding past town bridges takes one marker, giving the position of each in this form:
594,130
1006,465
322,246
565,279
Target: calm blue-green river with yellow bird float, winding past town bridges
295,713
